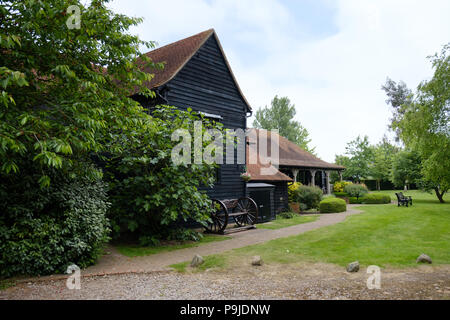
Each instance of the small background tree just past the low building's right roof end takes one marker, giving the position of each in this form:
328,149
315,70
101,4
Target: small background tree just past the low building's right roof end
358,160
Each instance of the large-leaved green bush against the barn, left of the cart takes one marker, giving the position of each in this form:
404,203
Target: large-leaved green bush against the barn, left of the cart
151,195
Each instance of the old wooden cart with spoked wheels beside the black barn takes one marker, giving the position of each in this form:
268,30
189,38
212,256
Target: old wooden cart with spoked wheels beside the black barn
243,211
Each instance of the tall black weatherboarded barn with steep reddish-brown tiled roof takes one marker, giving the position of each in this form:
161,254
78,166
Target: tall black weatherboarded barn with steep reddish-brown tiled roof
197,75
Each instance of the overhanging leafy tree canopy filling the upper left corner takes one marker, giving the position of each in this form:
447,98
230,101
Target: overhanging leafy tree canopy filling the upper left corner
59,105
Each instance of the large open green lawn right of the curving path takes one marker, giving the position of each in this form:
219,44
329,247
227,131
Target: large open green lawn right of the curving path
383,235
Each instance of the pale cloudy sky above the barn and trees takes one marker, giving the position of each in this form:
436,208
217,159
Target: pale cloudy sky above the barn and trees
329,57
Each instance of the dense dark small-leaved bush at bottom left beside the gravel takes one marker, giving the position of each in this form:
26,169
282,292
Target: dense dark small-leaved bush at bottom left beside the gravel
44,231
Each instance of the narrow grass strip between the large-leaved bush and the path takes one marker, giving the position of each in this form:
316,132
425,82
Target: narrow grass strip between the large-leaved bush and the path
137,251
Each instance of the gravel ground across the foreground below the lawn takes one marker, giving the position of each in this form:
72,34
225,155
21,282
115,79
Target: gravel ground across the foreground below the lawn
313,281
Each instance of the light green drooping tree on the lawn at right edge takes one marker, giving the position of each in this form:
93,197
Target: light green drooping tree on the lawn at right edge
424,125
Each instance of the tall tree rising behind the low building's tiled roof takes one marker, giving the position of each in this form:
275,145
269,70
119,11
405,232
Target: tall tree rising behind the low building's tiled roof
281,116
